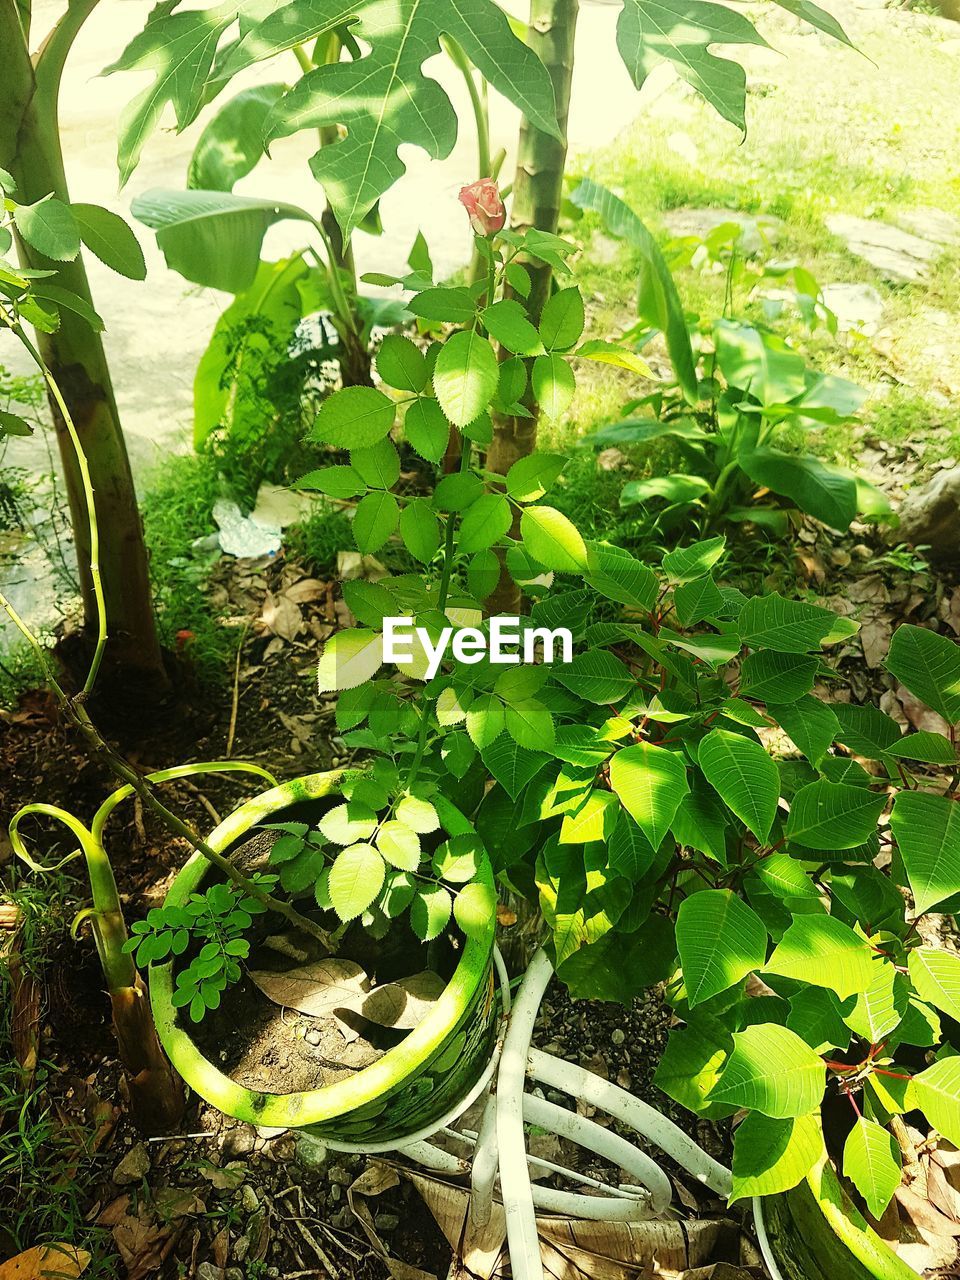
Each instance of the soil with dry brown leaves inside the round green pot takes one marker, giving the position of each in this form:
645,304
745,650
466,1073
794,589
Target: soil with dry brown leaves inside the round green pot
301,1020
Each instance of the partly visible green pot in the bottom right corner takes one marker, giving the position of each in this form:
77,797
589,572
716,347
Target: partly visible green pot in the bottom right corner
816,1232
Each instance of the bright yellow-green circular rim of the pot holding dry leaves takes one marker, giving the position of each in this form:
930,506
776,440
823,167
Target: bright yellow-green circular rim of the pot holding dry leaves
313,1107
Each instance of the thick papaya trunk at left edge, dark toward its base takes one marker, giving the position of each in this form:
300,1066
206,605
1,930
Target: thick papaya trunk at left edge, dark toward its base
30,149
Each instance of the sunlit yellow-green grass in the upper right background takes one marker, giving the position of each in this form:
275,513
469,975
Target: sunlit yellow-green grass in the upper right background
829,131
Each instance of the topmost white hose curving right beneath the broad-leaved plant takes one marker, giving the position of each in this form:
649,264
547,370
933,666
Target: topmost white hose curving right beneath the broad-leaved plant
618,1103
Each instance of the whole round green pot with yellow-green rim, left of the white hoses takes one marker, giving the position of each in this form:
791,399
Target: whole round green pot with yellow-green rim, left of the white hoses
415,1085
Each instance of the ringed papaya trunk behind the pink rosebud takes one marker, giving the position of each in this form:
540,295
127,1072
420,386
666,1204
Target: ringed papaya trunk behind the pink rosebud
538,193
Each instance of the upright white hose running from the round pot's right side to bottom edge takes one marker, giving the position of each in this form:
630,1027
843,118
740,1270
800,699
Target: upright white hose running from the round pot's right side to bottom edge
515,1177
